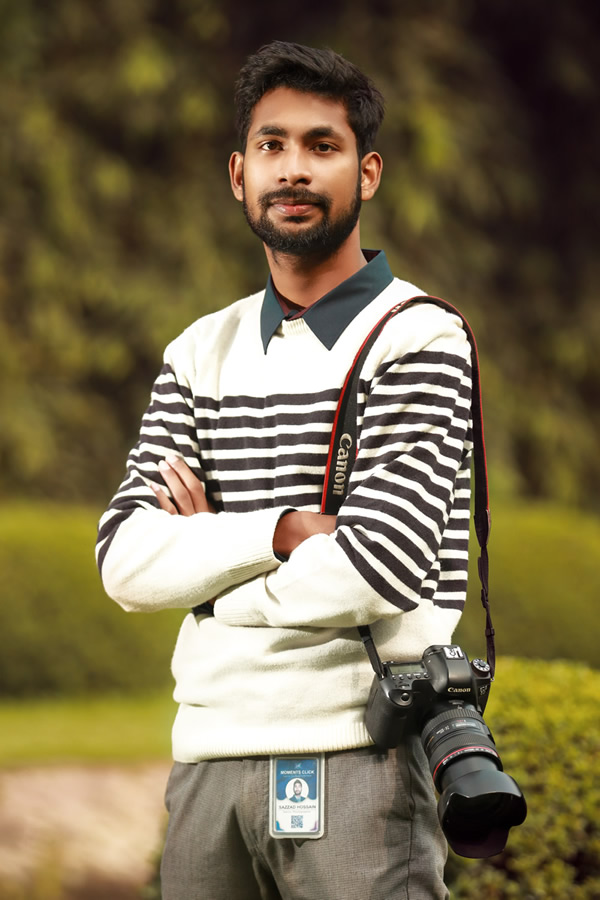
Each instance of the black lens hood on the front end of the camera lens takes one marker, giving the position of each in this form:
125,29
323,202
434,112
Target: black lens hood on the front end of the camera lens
478,809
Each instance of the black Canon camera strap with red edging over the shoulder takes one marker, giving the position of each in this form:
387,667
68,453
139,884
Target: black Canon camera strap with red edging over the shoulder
345,427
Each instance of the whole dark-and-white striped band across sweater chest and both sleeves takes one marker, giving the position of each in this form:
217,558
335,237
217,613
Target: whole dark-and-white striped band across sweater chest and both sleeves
404,525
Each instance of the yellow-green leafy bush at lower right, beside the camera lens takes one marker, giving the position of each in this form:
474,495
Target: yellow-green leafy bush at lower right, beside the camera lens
544,717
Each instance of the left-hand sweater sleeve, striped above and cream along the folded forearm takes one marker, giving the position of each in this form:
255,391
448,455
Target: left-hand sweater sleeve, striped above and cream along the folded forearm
150,560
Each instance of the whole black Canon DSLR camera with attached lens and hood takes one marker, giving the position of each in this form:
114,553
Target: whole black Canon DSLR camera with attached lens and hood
443,696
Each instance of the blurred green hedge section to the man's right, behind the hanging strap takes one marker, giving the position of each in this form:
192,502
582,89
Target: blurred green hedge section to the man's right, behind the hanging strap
544,584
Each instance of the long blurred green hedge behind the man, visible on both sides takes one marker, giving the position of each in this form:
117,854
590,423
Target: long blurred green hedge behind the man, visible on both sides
60,634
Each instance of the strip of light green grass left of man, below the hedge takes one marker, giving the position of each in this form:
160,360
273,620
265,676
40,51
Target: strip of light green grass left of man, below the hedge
111,729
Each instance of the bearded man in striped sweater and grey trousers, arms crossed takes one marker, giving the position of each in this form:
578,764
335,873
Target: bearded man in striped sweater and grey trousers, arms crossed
219,513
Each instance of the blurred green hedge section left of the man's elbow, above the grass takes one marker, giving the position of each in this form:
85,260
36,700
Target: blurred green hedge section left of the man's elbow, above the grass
59,633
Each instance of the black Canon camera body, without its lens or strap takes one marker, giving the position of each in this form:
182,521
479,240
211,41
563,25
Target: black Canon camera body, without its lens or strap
411,691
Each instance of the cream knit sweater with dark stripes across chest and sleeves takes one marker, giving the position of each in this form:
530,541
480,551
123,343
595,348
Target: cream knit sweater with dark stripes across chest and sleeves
279,667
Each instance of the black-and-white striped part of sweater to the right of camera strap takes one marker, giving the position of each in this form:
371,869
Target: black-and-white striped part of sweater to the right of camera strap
409,512
